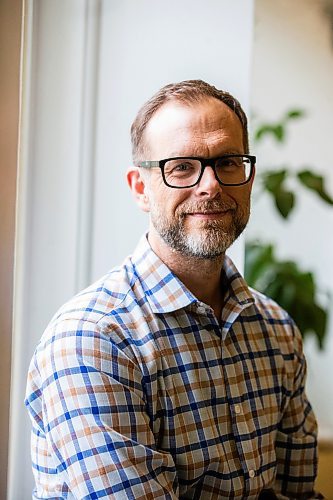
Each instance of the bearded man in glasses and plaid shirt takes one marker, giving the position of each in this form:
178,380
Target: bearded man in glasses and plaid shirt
169,378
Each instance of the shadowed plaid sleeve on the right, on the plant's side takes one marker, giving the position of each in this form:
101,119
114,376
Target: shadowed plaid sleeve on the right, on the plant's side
296,441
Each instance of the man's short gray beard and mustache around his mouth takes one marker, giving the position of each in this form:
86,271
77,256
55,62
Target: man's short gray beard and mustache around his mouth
210,242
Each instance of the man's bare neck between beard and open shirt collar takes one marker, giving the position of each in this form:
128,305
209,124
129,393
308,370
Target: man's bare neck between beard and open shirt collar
201,276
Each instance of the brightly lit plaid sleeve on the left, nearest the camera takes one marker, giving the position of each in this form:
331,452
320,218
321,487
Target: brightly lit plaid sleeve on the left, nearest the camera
95,420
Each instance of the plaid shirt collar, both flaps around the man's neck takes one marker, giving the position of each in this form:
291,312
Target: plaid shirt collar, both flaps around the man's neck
166,293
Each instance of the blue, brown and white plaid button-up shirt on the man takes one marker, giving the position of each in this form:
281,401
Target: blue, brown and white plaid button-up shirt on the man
138,391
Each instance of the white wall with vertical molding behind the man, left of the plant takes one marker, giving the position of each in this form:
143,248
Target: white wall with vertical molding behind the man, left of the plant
87,67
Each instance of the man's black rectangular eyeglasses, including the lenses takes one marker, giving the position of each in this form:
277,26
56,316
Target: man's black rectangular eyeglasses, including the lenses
184,172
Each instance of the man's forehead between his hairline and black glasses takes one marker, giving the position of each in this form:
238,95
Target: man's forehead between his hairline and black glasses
196,129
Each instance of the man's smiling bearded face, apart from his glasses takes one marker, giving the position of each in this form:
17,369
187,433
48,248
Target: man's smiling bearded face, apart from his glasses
202,221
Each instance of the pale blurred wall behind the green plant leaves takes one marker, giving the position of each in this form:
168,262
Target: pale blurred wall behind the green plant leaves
293,67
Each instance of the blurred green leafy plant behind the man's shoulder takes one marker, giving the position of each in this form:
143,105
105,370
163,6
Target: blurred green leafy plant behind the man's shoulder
294,289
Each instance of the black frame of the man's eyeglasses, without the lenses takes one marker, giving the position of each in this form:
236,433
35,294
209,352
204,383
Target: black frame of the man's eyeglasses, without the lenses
205,162
